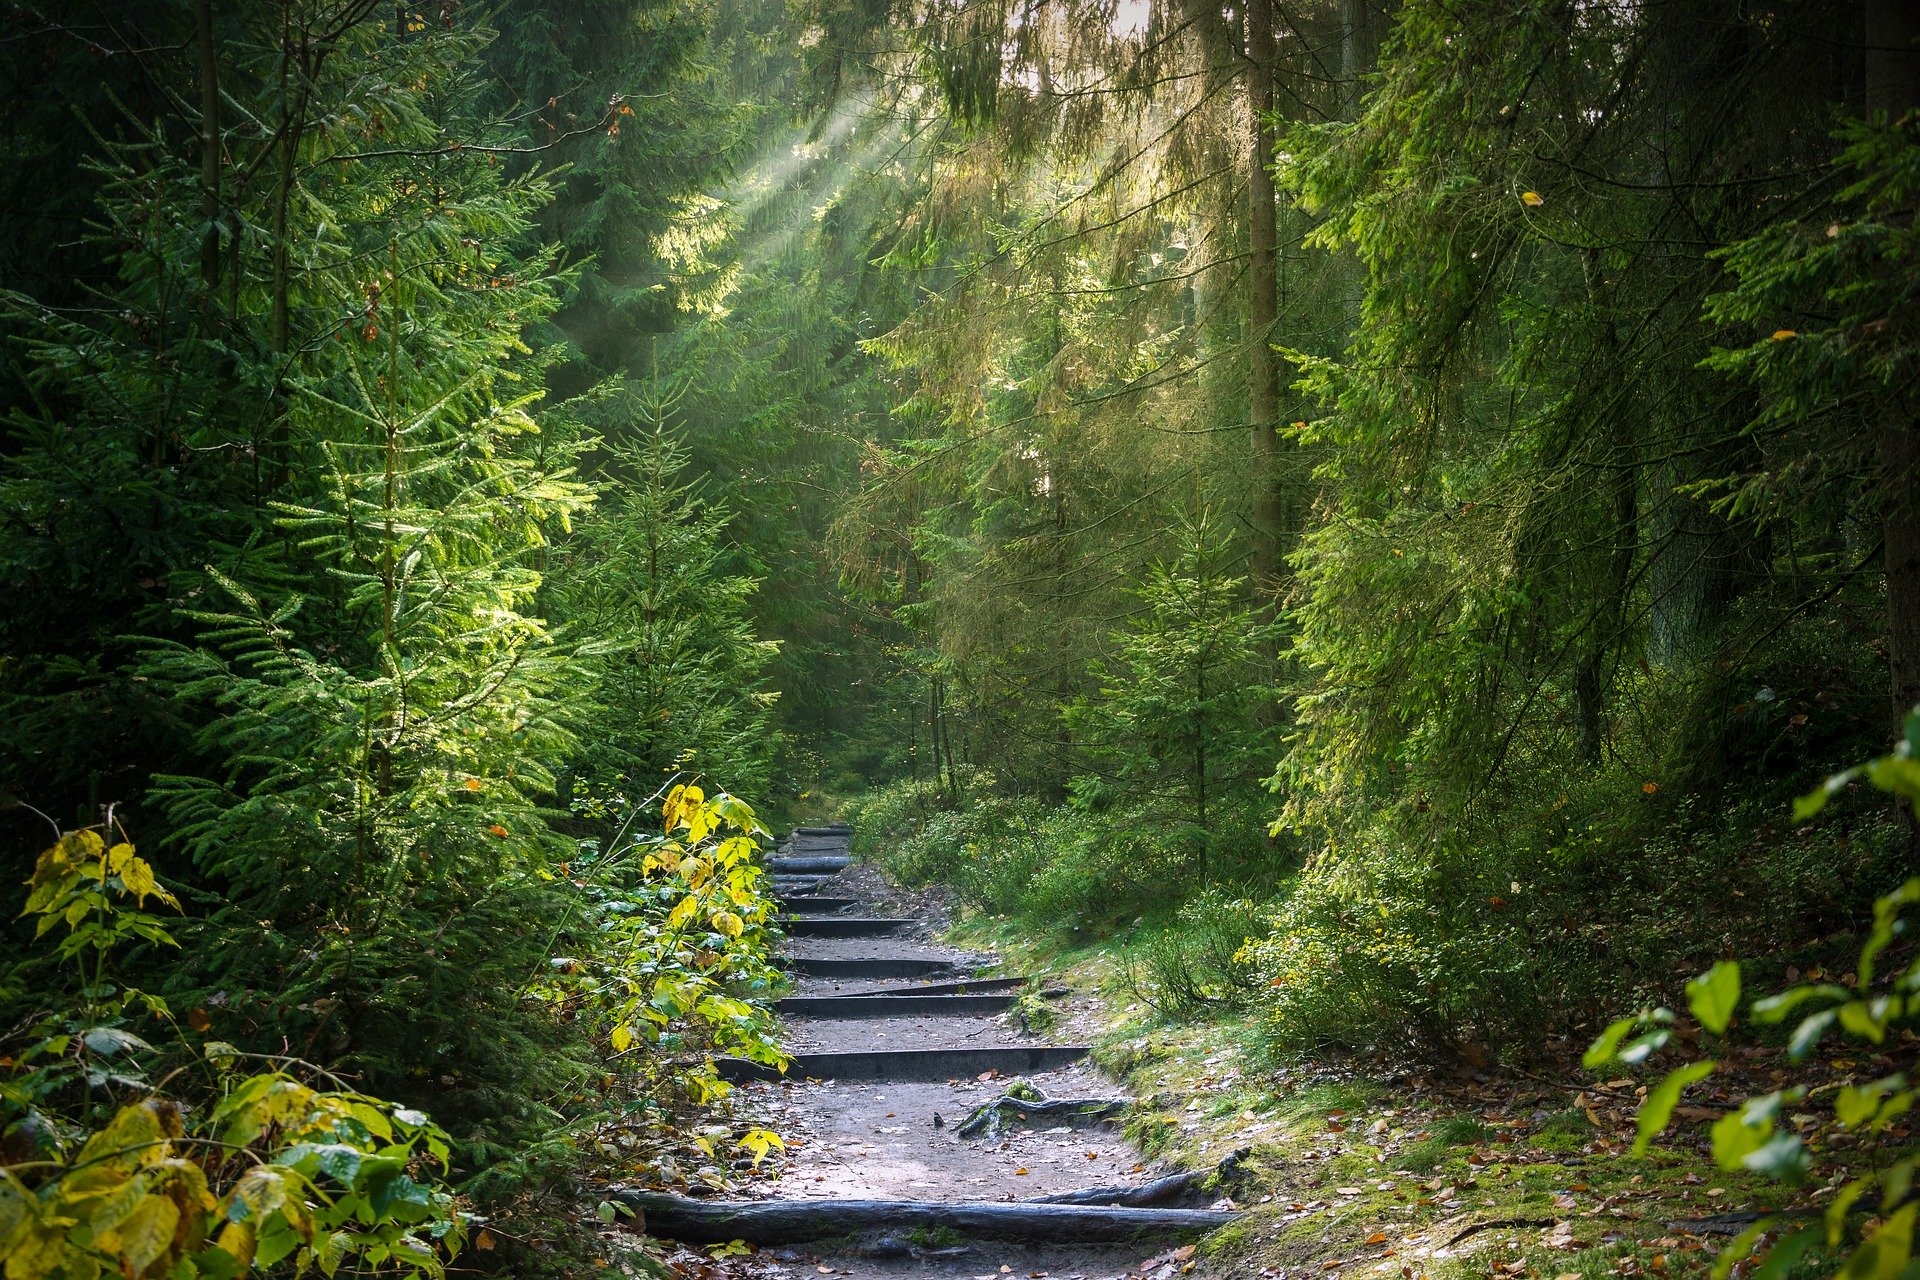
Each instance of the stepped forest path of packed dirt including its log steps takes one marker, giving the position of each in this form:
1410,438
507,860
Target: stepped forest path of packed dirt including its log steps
894,1051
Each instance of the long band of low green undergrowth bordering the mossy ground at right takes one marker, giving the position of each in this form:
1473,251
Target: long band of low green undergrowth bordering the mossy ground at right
1497,943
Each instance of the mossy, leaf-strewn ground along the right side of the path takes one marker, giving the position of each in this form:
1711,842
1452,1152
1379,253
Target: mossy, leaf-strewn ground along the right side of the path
1374,1172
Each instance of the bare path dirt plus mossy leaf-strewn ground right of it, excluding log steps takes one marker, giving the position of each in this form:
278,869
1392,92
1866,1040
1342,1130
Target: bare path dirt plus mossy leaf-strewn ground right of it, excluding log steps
1360,1170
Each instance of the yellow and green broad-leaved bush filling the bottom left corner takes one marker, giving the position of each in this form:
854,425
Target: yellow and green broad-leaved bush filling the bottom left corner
268,1170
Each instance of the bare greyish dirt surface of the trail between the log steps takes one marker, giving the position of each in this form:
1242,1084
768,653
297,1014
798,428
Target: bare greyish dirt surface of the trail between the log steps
863,1139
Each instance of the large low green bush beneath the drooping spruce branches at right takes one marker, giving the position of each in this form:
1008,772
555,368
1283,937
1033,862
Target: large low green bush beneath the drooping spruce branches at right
1560,899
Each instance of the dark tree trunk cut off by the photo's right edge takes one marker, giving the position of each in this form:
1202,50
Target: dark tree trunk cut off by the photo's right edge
1894,91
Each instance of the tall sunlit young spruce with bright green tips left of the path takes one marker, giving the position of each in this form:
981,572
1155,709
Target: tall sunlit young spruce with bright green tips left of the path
381,711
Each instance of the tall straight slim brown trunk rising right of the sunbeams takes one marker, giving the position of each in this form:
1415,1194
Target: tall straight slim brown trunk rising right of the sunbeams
1264,300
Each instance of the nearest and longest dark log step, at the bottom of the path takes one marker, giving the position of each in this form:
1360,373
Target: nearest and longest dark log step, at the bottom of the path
798,1221
